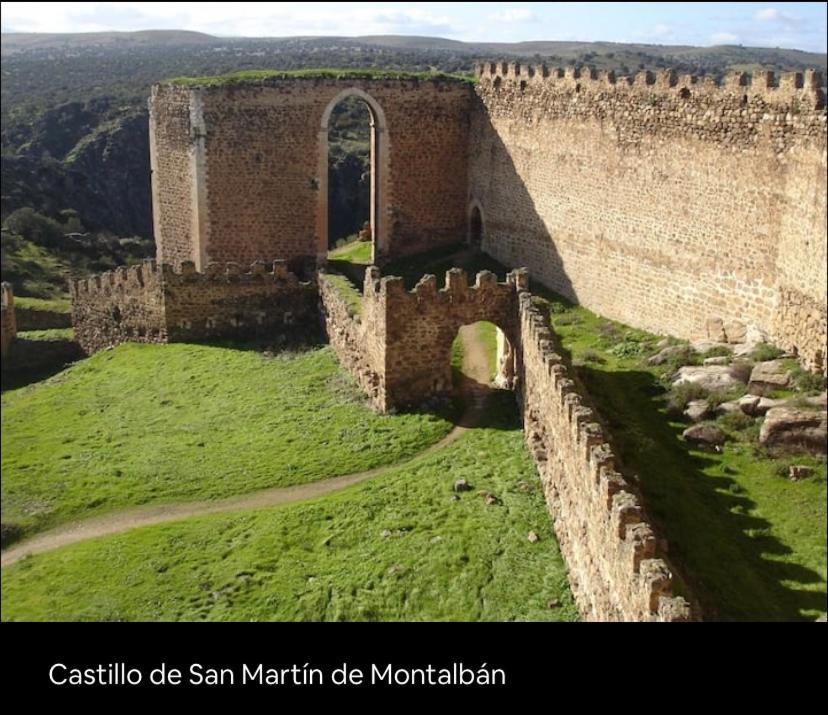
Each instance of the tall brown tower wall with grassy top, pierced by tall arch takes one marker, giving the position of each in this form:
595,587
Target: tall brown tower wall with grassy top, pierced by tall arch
240,170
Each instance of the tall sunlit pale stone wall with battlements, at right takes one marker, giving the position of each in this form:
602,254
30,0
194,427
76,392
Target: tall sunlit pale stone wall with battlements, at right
660,201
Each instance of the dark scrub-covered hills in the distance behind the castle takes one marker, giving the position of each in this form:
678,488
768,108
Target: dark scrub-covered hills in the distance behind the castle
73,125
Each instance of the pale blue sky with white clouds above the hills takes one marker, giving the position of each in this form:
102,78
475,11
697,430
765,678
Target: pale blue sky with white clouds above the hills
800,25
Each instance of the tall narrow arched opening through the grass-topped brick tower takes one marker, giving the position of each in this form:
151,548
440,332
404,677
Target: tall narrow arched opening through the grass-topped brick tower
351,136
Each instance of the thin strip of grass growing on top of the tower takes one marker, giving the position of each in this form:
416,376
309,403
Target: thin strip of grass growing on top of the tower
261,76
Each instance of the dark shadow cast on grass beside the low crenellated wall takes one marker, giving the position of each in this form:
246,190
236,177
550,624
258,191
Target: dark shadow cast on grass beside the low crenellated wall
729,558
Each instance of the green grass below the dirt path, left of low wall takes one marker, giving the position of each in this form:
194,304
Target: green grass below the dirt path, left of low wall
395,548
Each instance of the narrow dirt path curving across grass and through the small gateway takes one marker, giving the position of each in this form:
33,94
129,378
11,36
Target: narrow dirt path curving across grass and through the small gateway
476,376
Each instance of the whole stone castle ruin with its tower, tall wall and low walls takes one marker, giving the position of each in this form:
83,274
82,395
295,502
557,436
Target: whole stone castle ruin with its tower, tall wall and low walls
673,204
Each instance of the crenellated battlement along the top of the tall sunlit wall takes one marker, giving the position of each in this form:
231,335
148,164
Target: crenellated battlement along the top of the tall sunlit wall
772,88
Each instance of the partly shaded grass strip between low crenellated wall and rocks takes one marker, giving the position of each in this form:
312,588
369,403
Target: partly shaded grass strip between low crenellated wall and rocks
751,543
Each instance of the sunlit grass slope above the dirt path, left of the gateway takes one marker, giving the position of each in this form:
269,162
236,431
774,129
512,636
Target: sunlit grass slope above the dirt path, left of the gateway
153,423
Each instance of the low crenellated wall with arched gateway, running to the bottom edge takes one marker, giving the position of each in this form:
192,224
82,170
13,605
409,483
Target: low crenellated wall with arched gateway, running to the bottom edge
398,348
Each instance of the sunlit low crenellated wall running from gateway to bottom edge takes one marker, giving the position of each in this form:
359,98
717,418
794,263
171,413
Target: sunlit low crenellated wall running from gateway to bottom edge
608,544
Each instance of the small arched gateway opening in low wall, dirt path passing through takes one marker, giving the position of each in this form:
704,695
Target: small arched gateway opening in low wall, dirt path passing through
482,358
